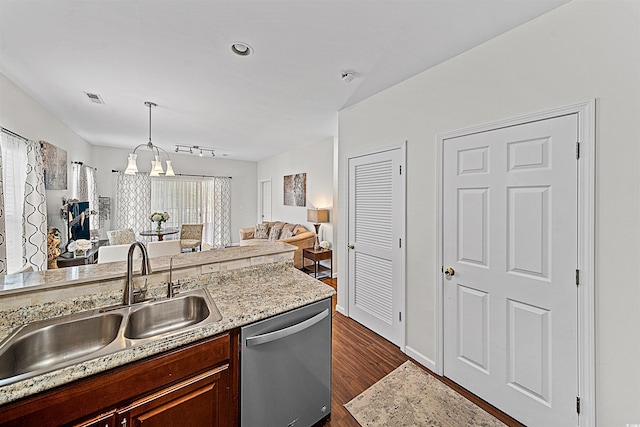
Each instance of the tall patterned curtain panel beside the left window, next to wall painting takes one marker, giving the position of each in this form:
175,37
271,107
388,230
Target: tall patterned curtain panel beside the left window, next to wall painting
35,210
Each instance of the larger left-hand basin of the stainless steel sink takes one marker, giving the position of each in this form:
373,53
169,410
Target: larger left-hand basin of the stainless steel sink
41,345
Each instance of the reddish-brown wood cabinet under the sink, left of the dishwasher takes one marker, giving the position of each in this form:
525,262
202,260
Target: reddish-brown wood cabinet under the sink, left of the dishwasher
193,385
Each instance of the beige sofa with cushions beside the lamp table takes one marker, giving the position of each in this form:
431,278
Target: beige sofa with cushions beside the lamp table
301,237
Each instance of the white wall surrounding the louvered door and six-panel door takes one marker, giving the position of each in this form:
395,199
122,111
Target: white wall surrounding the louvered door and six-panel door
582,50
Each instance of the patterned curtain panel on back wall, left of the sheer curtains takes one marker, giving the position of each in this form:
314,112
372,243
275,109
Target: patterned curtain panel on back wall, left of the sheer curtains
133,202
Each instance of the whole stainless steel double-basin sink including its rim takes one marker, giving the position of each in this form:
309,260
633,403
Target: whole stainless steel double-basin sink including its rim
48,345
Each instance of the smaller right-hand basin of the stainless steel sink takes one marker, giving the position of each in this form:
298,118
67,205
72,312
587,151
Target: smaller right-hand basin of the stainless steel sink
168,315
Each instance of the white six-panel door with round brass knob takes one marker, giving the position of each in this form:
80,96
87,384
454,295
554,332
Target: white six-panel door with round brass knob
510,237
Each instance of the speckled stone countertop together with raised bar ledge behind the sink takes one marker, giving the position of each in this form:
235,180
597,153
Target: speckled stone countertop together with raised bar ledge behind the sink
247,284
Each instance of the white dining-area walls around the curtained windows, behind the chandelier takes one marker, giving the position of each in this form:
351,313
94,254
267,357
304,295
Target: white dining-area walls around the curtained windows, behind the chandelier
21,114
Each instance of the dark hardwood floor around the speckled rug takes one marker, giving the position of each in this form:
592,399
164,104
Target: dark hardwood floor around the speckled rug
361,358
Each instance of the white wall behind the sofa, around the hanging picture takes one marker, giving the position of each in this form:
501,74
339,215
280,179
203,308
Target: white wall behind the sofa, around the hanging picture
316,160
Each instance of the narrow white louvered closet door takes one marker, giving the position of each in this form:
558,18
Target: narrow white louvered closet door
374,252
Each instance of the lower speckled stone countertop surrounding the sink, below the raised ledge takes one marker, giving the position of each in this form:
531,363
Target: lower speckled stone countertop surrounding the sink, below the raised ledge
243,296
